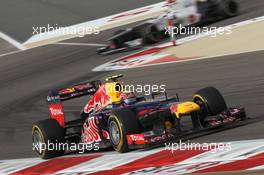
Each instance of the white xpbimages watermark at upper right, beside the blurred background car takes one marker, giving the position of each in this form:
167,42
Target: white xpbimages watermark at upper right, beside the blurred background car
192,30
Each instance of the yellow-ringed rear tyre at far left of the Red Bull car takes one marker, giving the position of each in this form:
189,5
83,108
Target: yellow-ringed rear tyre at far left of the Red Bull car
46,136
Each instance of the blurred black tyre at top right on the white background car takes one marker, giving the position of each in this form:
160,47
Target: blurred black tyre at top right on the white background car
228,8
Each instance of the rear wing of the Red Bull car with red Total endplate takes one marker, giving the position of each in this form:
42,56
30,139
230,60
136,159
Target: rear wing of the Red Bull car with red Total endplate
55,98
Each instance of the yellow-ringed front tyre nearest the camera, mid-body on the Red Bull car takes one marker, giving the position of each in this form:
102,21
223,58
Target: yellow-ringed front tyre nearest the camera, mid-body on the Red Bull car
120,123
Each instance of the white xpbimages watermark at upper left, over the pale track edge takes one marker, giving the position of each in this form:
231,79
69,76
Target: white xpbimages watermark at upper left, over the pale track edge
80,31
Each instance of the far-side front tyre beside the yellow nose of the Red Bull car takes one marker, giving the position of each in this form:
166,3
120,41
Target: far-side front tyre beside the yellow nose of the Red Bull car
210,100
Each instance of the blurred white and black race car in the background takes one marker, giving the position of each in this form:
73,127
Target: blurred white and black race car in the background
182,13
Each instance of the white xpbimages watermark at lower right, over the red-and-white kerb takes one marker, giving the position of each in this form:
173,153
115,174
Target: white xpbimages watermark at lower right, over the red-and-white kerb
214,147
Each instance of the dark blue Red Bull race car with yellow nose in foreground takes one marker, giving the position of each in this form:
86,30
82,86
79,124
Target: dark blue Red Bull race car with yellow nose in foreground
119,119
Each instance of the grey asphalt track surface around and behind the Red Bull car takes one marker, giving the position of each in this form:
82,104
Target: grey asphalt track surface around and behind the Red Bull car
26,77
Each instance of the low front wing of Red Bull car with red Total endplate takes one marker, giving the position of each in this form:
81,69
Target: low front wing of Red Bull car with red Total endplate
231,118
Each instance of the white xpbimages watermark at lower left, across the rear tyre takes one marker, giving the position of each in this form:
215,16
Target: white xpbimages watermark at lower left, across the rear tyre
59,146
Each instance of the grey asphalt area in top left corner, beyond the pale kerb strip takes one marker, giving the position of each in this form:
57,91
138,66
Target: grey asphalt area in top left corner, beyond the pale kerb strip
18,17
